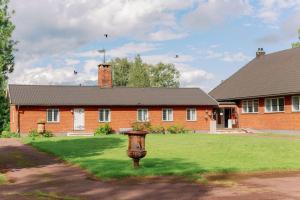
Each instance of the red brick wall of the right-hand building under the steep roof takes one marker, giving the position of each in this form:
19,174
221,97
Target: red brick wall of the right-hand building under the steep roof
286,120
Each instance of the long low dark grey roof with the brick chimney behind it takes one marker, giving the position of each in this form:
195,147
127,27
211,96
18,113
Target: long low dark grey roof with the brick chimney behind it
38,95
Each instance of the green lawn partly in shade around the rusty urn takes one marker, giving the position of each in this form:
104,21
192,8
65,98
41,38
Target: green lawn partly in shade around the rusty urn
190,155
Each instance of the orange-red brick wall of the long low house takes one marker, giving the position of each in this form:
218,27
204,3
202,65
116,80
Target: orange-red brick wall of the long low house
121,117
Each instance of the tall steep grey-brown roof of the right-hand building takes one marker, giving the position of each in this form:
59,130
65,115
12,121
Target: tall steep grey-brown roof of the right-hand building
269,75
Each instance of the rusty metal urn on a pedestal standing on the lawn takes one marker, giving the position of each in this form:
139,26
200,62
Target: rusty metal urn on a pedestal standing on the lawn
136,146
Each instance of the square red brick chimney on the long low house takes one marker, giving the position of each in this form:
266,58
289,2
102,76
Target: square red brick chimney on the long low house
104,76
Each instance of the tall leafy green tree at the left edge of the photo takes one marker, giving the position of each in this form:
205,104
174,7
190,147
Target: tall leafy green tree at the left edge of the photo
6,59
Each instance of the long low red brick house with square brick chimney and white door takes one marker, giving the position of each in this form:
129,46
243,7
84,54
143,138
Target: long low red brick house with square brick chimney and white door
69,109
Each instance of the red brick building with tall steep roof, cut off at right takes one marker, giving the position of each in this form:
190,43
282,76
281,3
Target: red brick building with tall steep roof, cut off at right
263,95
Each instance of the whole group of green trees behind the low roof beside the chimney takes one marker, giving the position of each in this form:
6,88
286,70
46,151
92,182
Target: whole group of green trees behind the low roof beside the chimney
138,74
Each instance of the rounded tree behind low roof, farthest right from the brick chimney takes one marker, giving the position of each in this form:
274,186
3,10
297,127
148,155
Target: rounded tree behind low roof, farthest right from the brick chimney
164,75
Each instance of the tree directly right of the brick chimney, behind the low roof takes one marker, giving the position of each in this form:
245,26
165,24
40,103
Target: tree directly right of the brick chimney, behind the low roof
120,71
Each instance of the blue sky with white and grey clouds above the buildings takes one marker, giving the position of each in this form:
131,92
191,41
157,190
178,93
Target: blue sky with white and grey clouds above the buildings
212,38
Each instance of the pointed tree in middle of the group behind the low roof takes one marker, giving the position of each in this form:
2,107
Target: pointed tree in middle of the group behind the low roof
138,74
